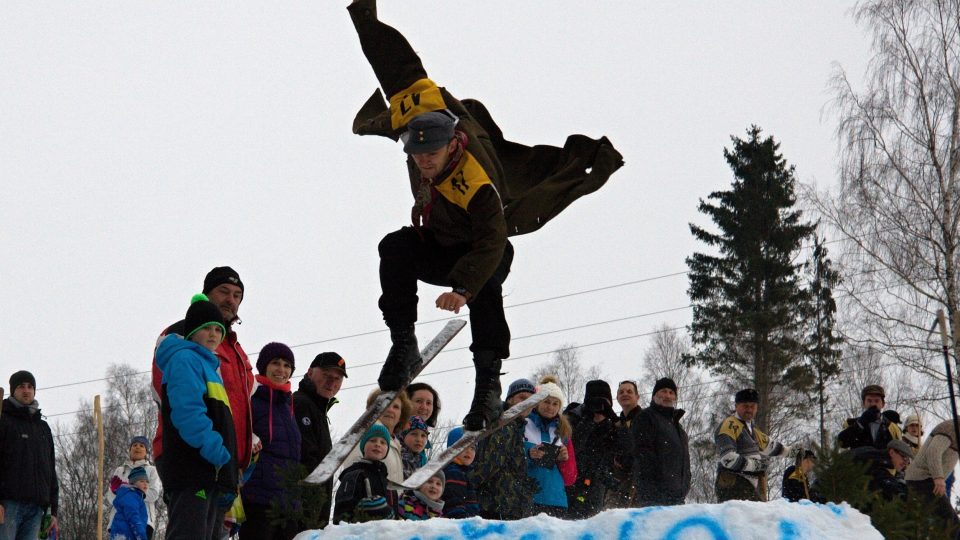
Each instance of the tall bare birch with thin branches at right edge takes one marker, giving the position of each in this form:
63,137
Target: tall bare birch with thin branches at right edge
897,203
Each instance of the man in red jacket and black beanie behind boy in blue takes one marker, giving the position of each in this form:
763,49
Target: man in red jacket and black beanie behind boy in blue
224,288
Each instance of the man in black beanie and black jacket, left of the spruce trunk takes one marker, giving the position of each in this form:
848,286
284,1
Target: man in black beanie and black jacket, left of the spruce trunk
661,466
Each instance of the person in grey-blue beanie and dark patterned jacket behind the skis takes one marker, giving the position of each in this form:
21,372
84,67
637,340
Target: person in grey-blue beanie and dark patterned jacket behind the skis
504,489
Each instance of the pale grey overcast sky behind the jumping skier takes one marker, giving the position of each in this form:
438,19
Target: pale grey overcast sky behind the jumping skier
143,143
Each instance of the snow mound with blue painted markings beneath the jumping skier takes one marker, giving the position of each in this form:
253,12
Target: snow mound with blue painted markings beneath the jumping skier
736,520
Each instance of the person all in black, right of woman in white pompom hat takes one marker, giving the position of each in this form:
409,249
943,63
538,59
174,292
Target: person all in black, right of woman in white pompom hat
597,439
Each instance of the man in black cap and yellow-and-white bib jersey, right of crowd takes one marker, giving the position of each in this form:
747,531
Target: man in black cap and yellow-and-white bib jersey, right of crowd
742,451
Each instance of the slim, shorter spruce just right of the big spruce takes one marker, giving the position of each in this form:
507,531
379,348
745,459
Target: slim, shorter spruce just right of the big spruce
823,343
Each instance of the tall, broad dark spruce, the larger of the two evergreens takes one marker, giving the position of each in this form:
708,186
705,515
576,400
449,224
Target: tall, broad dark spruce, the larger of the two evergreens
749,307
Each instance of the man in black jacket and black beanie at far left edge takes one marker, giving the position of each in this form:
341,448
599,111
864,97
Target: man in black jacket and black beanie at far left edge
28,476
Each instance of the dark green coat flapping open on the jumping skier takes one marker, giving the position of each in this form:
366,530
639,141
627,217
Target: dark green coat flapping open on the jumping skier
533,183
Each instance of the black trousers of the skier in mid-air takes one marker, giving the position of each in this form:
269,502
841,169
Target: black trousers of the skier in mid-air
406,258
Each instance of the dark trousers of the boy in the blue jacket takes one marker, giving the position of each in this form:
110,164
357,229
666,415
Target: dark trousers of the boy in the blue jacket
192,516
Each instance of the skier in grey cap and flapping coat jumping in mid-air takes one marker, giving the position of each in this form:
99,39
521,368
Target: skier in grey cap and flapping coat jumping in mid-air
472,189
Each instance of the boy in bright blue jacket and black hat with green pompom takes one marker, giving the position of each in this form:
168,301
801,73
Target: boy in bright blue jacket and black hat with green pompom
198,466
